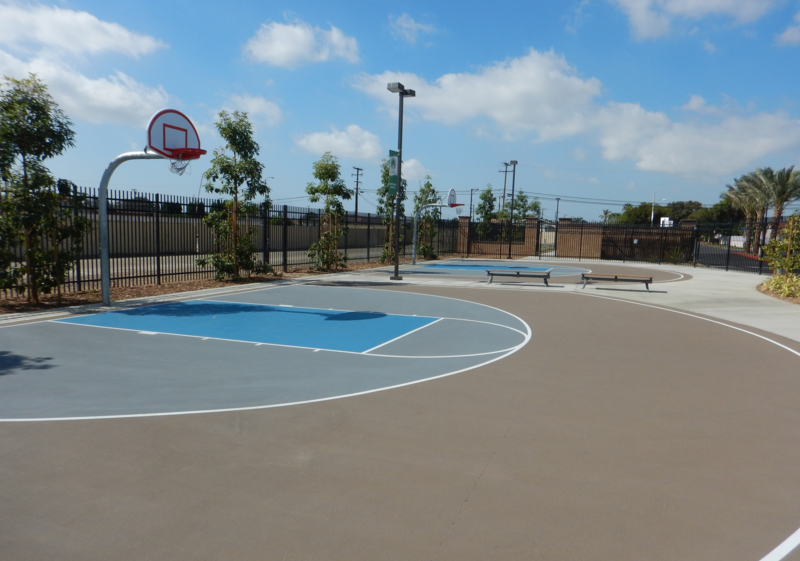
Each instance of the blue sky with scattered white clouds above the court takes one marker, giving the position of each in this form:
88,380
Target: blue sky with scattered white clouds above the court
612,100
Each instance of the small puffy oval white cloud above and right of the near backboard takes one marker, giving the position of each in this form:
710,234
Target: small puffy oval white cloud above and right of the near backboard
291,44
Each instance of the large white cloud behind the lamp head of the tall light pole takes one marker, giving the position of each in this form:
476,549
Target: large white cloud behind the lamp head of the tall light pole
538,91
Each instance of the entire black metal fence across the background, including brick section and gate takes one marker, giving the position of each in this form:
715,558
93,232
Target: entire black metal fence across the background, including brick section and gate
156,238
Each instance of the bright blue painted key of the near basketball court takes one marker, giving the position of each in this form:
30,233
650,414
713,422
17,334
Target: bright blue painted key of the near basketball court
277,325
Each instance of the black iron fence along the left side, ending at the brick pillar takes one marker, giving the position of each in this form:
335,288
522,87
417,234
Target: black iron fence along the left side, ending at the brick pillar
155,239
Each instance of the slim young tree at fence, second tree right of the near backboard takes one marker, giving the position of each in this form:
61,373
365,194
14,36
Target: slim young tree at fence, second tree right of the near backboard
332,189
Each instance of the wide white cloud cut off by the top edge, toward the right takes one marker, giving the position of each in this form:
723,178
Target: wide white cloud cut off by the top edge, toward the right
652,18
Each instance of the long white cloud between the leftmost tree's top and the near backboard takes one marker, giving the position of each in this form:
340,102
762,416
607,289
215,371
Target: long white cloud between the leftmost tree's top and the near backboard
116,98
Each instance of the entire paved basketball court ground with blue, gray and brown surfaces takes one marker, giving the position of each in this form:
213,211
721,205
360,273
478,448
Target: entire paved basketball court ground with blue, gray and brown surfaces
350,417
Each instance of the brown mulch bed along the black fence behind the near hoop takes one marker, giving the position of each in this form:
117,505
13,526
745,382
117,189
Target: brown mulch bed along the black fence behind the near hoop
50,301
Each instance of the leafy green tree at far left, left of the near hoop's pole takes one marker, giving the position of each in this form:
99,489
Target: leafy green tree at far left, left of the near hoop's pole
35,210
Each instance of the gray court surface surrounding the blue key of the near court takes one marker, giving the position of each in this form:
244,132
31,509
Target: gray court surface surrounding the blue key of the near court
59,370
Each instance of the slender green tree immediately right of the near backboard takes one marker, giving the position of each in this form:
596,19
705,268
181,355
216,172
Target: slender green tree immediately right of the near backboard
234,172
